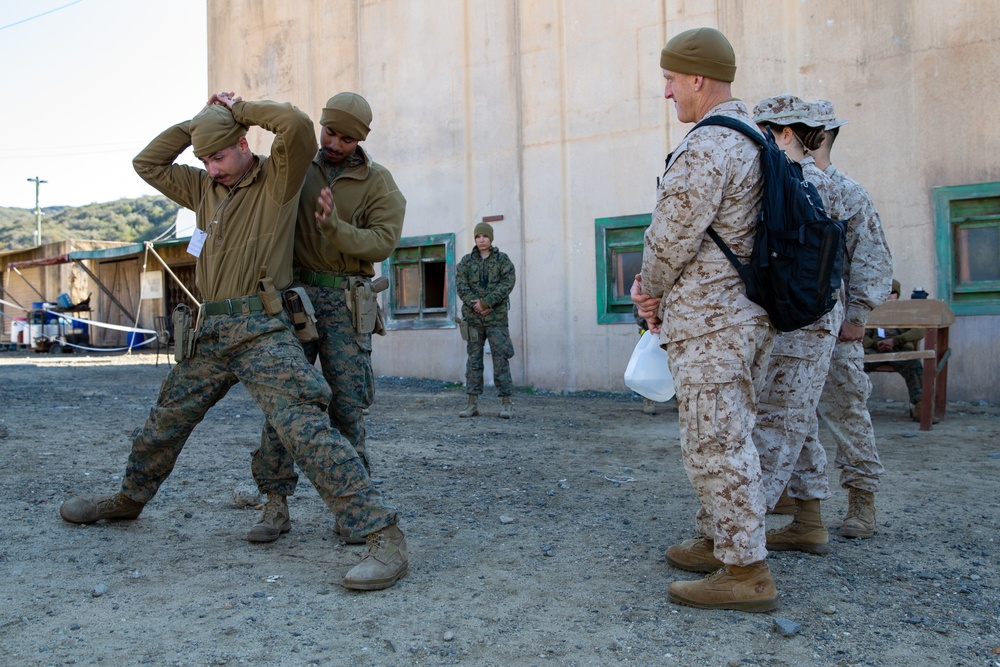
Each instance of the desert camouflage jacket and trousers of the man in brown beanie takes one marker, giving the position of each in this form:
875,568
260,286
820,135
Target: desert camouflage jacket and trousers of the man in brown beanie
717,340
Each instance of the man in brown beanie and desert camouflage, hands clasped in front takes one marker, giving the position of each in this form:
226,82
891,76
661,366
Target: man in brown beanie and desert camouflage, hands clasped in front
718,341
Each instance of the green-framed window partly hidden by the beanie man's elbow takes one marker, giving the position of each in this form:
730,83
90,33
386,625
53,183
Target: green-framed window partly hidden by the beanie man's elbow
618,247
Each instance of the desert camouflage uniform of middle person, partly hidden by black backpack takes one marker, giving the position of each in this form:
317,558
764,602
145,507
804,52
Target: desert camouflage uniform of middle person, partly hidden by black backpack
800,360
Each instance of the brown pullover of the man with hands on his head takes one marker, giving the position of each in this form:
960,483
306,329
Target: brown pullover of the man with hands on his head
252,225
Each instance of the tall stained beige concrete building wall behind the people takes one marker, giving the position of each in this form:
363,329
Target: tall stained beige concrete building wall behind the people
550,113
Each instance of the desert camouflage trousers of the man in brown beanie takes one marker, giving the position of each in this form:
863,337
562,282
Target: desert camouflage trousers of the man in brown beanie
718,377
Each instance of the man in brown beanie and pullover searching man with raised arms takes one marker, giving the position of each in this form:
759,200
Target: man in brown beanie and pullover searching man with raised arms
334,262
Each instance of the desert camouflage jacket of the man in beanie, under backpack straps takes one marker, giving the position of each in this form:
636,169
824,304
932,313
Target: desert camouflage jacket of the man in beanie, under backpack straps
712,178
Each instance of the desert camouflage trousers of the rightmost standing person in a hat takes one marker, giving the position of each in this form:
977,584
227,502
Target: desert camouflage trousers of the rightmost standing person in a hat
846,397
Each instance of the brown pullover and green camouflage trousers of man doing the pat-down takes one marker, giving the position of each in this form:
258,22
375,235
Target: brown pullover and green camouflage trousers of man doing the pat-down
364,229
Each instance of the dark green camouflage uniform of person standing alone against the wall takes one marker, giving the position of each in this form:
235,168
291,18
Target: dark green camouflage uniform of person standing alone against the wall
491,280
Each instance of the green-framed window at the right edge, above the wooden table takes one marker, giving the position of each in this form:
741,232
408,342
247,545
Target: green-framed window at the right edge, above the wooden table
967,221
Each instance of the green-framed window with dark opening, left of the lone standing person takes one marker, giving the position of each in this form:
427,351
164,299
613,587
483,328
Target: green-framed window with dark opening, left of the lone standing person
421,273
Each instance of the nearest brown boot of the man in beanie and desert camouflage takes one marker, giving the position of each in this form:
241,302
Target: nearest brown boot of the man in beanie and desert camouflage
748,588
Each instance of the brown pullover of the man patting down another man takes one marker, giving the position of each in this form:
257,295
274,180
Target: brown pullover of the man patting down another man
365,227
